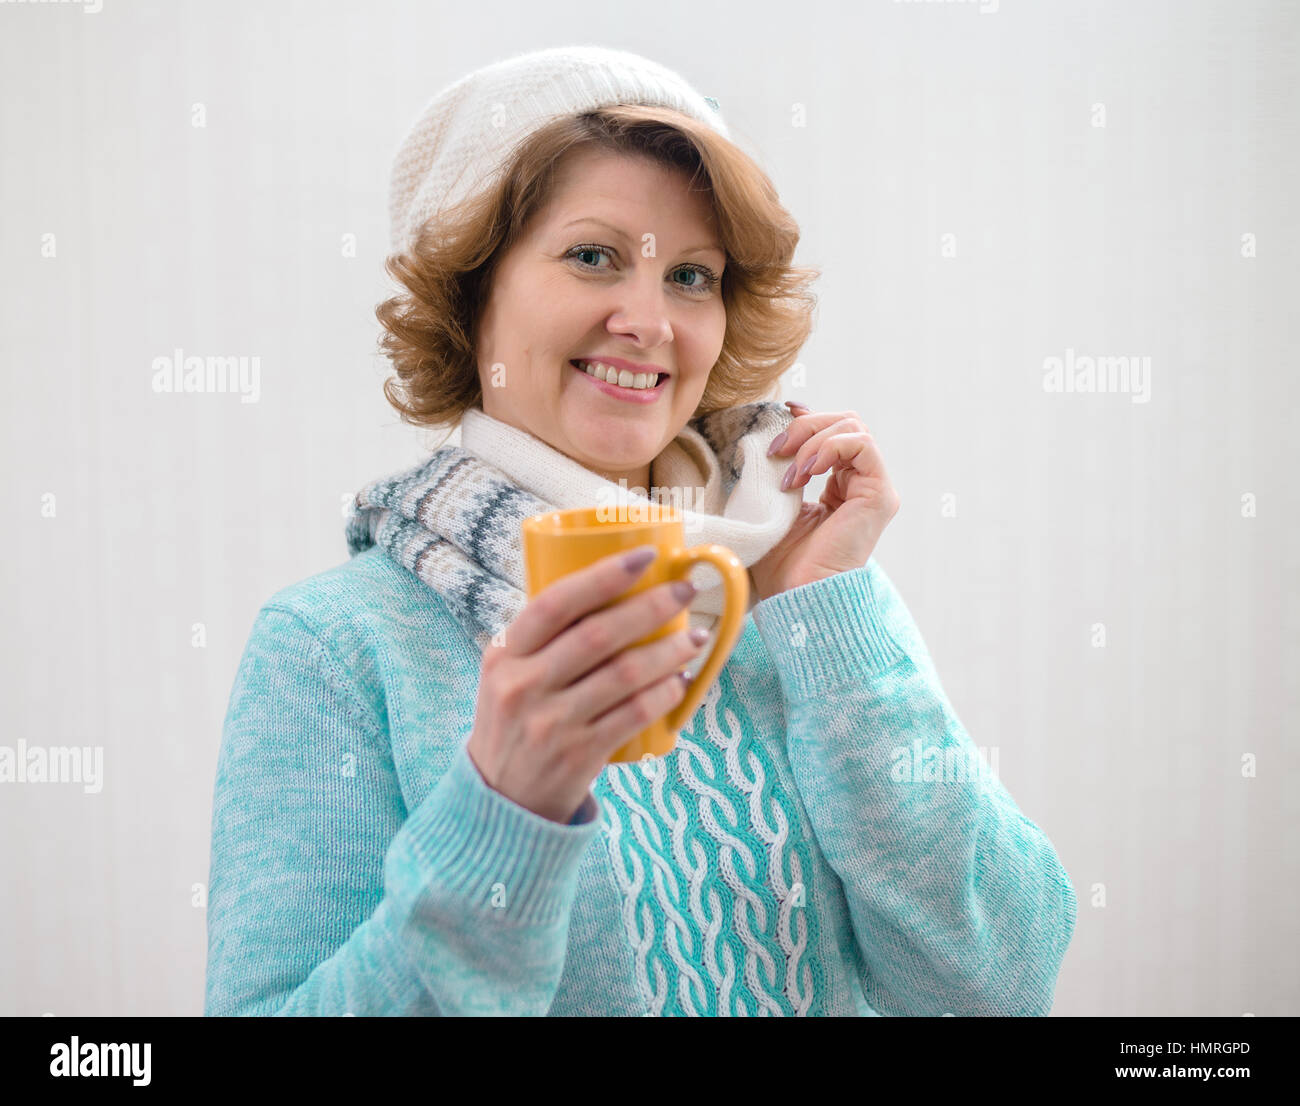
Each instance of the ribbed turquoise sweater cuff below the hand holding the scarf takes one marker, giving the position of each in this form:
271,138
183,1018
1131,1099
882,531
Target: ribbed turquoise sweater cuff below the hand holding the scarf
827,634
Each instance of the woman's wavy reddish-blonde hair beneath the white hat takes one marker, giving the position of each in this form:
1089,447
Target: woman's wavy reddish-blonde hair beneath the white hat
448,271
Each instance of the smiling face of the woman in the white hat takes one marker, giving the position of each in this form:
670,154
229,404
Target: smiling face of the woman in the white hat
625,266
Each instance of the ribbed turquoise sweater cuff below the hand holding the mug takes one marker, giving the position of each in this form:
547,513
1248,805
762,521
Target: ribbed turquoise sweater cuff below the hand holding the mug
475,840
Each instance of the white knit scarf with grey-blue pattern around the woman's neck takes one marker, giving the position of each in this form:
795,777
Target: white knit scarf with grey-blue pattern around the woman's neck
454,521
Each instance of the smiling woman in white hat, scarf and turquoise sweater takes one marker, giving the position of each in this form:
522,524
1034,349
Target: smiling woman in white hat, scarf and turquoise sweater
414,813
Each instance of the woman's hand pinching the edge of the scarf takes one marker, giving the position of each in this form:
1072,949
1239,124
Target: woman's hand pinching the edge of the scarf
839,532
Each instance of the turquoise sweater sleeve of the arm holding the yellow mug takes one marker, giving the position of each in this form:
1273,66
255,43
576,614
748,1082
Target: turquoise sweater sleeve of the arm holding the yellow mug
318,908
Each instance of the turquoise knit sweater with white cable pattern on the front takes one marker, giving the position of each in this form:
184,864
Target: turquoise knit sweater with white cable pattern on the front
820,843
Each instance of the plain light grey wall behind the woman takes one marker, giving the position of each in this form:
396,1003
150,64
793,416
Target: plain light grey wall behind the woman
1030,519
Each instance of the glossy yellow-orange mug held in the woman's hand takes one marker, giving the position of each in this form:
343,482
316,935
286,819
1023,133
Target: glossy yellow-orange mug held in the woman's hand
562,543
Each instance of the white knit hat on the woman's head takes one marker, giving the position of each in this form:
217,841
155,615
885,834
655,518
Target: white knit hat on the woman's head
462,138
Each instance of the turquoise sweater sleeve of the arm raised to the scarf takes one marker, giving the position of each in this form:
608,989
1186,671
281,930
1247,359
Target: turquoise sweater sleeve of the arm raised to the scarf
959,903
